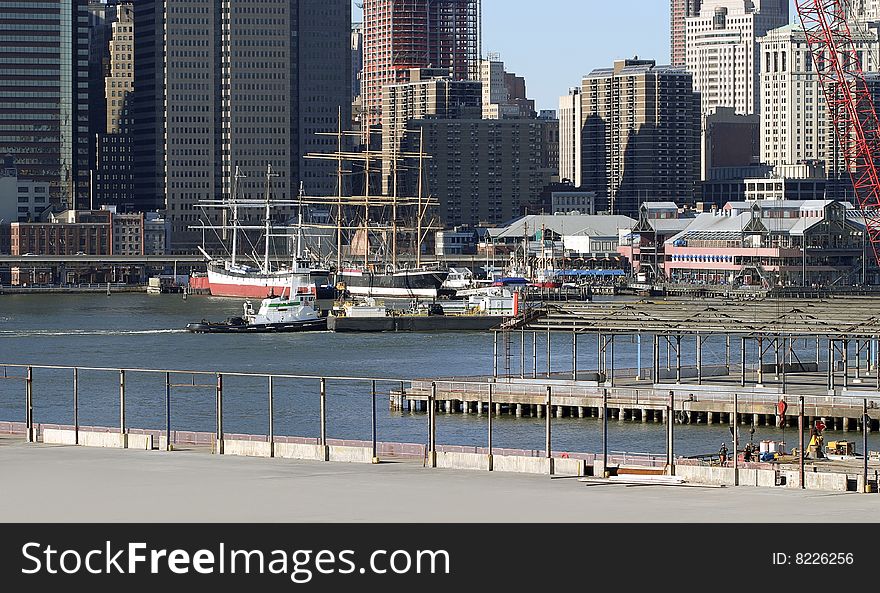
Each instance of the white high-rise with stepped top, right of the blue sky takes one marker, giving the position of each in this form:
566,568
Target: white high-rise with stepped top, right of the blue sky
722,52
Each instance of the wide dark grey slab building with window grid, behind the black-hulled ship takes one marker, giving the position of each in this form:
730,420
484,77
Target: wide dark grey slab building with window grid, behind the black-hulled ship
483,171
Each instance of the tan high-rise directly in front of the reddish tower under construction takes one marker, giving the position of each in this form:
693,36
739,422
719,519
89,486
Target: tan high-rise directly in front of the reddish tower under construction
430,93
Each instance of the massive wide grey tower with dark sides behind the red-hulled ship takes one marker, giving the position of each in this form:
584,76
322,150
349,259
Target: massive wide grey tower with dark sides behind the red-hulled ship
237,84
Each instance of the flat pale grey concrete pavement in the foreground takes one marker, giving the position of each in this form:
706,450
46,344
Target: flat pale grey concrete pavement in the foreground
44,483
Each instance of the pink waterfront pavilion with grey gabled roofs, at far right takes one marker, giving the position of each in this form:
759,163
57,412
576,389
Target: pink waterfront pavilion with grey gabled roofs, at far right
771,243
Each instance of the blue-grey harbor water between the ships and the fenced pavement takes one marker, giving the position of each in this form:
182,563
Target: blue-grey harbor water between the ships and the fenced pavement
146,331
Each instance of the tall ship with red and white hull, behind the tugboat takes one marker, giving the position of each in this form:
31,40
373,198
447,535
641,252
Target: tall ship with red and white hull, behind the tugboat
258,278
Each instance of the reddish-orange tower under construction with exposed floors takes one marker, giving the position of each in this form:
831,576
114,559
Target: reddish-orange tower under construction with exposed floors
400,35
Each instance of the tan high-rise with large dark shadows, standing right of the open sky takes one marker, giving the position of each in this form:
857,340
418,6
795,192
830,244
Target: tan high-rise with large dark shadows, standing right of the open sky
641,134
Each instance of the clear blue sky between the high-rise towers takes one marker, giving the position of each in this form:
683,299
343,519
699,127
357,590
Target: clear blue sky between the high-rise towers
553,43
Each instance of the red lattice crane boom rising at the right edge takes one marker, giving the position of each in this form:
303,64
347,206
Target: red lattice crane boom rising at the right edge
839,68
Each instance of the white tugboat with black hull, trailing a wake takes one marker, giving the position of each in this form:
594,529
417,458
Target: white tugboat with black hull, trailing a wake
276,314
